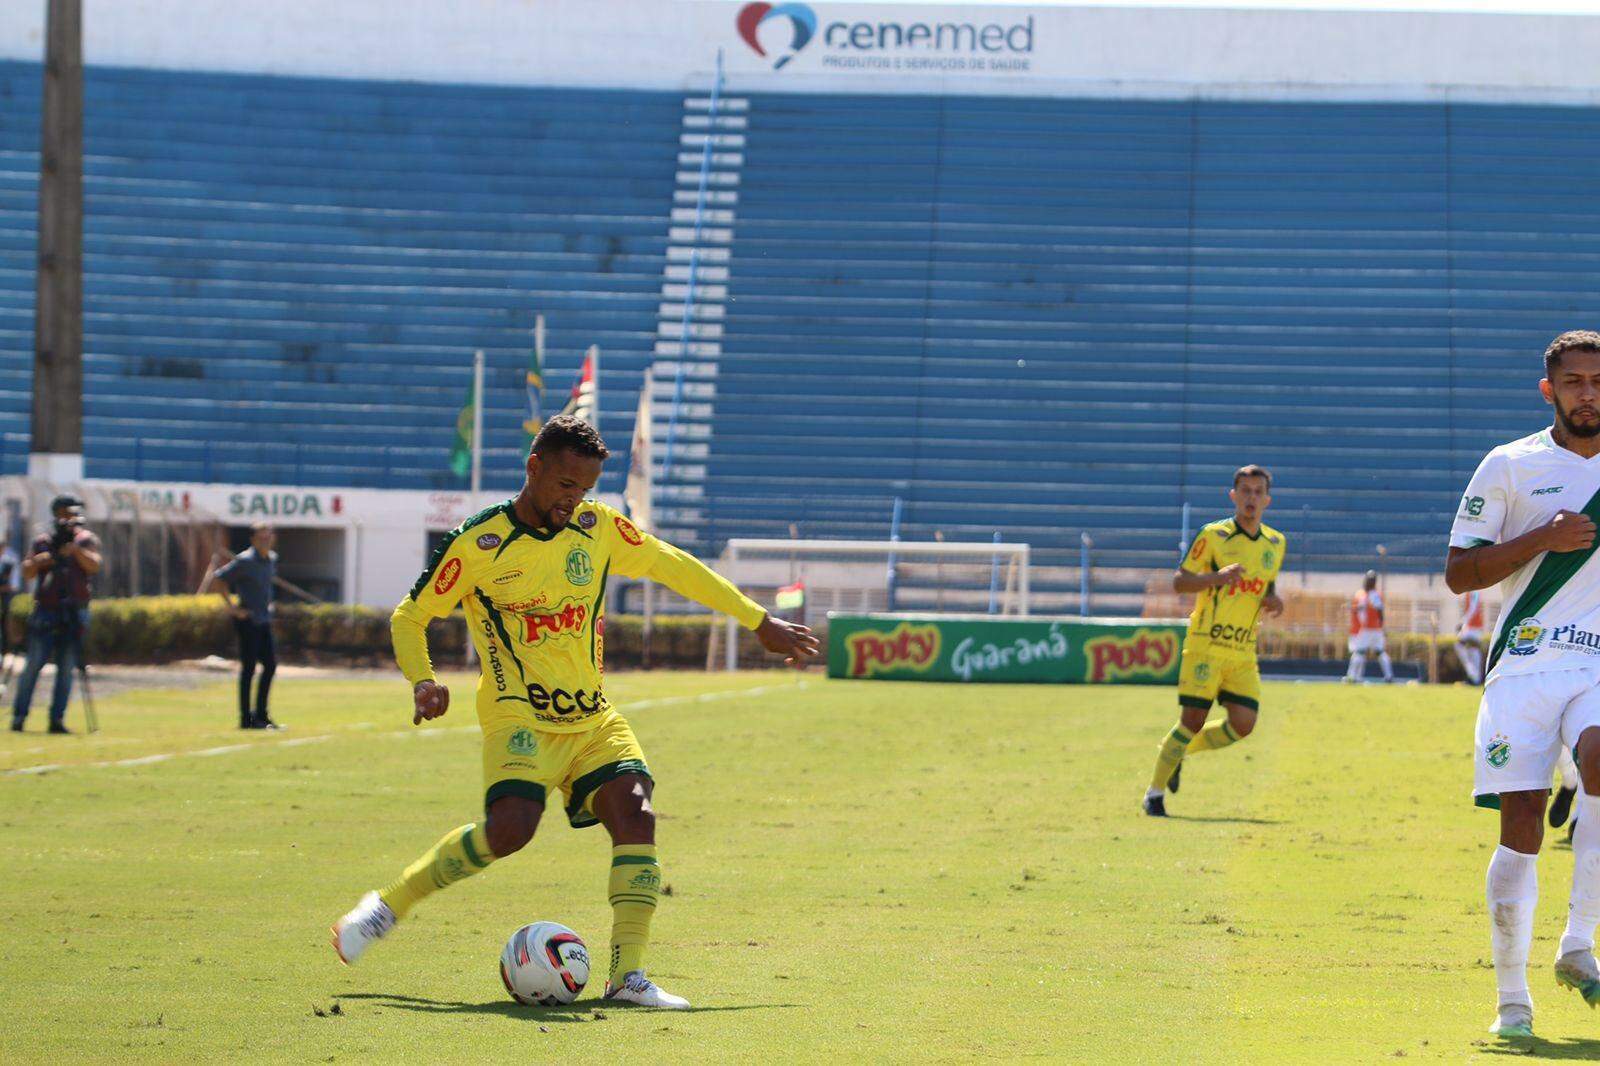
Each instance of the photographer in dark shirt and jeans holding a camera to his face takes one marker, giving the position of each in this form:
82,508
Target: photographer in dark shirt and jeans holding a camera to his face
63,561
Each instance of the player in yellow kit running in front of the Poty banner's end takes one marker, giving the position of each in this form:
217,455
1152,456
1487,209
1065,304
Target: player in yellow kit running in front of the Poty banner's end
1233,567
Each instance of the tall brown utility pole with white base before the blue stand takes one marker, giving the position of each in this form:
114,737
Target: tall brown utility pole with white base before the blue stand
57,452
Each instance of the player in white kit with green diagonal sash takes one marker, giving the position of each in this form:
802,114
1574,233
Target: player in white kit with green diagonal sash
1527,523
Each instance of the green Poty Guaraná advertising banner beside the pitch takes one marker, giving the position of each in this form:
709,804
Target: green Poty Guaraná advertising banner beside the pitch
986,649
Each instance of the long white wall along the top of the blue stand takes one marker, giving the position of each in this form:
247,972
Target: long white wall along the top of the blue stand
671,46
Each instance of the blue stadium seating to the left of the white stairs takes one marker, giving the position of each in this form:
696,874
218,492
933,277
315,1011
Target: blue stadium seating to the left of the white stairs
286,279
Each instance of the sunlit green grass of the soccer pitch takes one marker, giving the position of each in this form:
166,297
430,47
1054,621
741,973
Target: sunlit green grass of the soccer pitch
858,872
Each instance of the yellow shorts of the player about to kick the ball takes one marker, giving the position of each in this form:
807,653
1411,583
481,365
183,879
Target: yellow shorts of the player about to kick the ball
524,761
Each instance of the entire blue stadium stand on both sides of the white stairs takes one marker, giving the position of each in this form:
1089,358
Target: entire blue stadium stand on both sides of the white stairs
1034,316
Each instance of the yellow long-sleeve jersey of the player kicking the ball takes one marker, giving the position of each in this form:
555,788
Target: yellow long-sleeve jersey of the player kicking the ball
535,606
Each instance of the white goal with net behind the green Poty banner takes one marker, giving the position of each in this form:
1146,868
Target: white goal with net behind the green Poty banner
860,577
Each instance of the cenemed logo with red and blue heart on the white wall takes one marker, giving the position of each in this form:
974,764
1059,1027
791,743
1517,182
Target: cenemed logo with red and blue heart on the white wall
894,46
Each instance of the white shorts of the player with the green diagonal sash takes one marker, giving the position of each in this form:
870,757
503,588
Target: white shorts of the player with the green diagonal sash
1524,723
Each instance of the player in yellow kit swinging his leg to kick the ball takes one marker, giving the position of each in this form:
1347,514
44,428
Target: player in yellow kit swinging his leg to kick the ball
530,575
